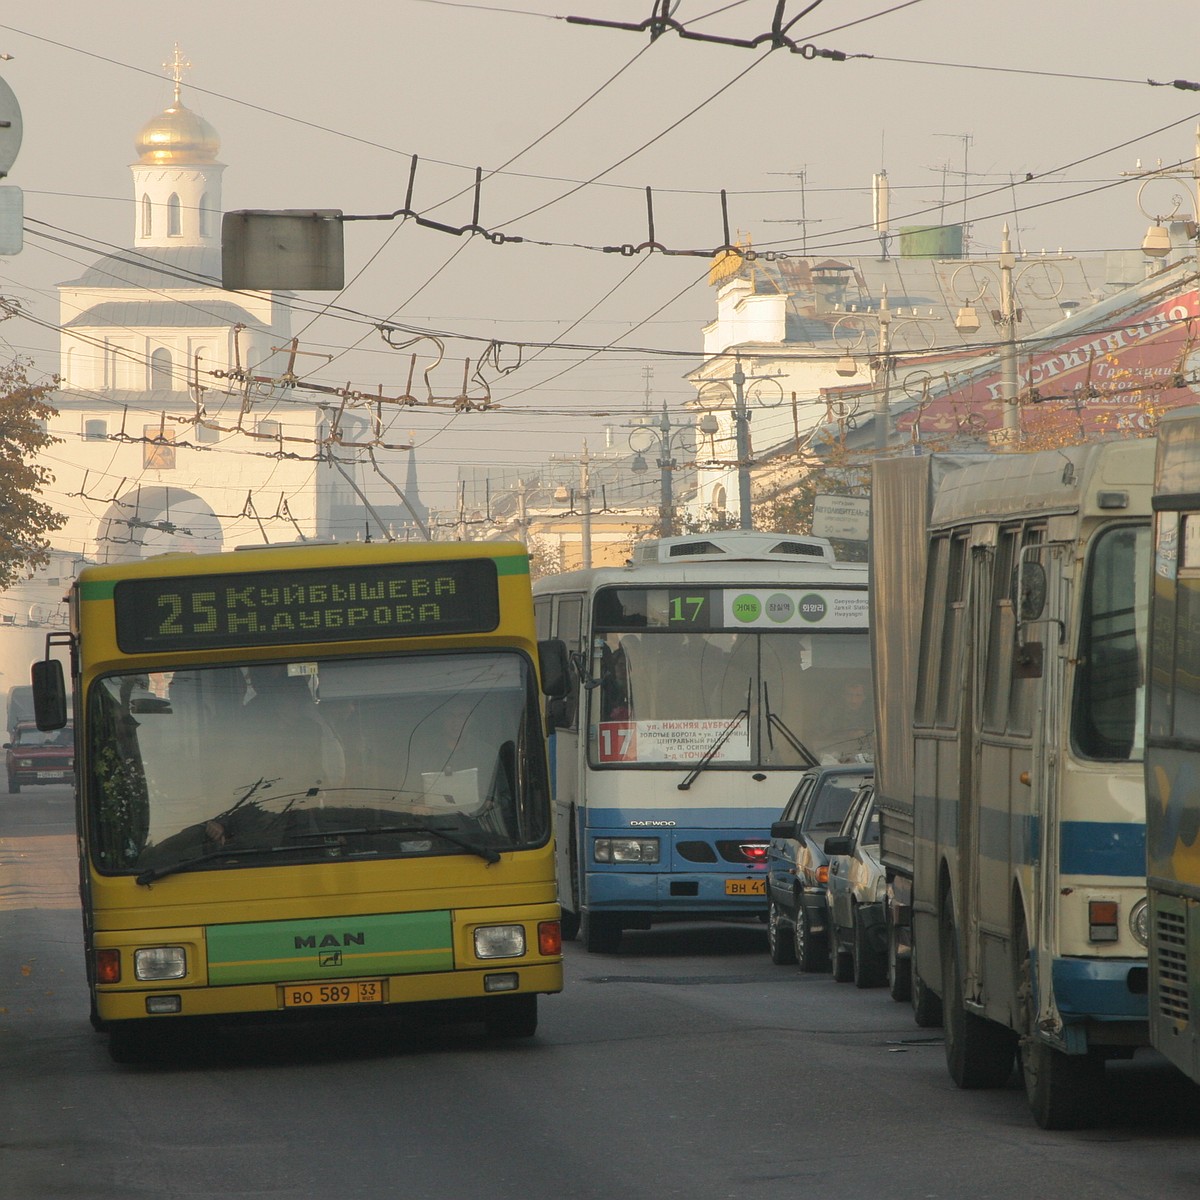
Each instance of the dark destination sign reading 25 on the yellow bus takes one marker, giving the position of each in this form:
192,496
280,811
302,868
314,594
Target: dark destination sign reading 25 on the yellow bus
200,613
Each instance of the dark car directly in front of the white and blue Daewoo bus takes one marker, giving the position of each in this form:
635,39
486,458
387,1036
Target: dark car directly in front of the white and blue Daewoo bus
797,909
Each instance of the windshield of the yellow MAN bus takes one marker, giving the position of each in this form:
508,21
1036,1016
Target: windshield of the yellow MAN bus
284,763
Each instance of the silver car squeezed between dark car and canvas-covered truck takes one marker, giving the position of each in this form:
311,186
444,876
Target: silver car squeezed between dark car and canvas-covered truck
857,890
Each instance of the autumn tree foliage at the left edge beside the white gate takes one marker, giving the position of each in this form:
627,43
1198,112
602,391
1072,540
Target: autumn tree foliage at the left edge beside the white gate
26,520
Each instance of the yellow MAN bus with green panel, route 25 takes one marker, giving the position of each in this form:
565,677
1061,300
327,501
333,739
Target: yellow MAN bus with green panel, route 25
310,778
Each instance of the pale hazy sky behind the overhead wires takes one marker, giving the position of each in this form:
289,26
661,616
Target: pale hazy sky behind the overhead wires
322,107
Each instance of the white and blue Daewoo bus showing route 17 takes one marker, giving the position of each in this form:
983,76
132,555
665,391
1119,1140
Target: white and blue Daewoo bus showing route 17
712,671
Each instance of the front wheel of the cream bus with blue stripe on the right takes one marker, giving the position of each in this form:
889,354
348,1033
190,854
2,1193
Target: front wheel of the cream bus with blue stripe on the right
1063,1090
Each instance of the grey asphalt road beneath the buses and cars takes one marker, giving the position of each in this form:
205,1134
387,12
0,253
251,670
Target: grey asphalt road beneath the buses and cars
686,1066
